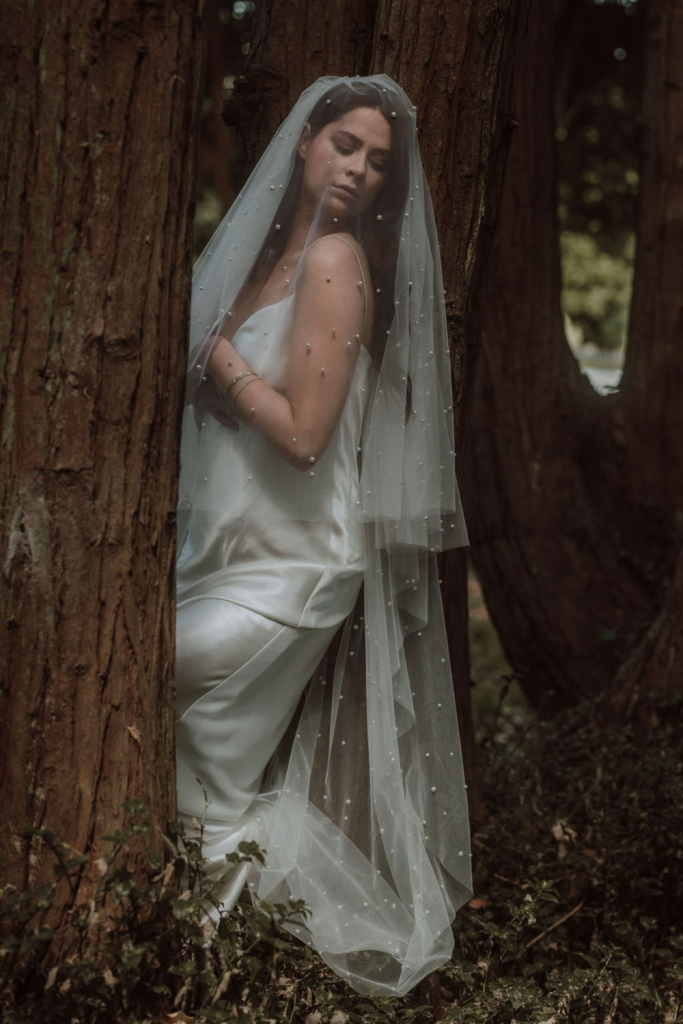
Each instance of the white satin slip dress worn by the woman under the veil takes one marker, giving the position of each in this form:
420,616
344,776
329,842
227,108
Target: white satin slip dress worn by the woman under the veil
272,566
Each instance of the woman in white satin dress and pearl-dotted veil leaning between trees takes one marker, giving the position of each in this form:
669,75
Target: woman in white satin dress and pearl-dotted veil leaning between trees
318,485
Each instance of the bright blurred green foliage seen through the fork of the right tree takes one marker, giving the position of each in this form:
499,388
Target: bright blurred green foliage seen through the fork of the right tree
596,289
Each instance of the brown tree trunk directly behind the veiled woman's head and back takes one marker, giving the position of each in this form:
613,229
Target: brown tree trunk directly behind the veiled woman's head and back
457,63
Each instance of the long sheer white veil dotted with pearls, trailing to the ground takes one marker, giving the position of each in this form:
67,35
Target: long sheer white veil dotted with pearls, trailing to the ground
363,810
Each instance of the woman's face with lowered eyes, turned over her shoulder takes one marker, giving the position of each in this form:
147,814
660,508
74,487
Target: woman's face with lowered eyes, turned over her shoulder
348,163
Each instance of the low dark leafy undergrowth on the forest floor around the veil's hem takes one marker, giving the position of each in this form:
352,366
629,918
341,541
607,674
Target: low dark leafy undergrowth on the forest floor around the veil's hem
576,919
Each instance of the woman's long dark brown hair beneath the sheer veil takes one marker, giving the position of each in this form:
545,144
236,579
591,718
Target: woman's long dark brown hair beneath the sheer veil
379,238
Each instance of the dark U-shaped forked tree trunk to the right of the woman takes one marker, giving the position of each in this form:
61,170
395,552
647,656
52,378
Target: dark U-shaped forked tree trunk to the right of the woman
574,522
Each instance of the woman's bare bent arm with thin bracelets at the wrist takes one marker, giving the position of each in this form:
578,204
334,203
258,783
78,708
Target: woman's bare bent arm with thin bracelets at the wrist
325,342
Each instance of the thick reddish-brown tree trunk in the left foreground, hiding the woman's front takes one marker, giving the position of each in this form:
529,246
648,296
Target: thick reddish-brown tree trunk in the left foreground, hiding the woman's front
99,158
